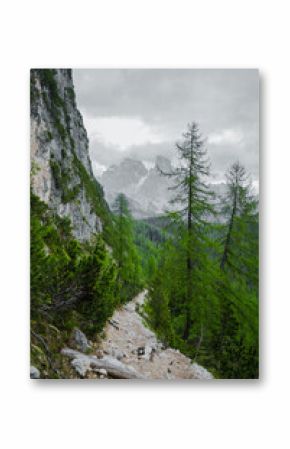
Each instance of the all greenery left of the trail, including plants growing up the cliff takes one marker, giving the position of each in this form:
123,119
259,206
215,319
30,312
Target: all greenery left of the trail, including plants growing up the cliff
72,284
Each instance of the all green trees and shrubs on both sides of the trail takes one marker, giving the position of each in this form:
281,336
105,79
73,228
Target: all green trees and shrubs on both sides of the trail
199,262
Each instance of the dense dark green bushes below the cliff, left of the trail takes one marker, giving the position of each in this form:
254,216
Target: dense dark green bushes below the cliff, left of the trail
72,284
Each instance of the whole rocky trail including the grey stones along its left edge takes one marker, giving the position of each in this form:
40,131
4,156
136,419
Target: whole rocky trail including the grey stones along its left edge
131,351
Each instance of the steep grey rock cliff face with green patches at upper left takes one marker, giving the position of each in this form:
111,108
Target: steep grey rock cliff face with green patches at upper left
61,169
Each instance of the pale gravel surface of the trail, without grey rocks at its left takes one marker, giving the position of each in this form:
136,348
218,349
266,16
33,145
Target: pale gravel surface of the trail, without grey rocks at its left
131,342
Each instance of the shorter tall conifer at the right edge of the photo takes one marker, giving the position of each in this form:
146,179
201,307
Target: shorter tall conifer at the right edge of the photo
238,281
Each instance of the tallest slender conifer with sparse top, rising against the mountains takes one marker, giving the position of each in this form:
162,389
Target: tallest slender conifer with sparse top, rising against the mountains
193,196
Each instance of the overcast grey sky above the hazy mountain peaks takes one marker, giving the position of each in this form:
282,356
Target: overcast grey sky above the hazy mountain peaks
141,113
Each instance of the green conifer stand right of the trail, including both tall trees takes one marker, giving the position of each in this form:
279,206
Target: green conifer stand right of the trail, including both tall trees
204,290
